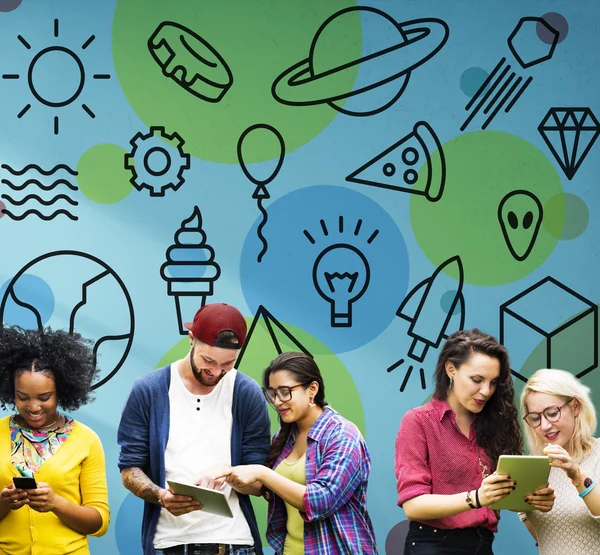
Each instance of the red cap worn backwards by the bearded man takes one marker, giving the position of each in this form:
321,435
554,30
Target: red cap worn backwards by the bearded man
212,319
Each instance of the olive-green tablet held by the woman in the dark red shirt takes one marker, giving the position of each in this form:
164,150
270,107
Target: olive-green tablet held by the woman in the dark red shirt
530,473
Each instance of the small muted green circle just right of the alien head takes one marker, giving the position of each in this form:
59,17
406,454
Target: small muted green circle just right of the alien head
570,208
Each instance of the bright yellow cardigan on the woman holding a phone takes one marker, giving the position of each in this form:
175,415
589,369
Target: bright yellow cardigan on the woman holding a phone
76,472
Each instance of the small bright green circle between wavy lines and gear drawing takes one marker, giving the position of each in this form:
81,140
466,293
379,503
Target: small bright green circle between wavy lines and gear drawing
101,175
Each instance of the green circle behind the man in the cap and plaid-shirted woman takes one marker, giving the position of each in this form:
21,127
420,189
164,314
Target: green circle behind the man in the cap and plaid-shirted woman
340,390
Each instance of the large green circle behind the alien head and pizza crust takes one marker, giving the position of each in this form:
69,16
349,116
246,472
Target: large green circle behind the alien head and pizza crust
481,169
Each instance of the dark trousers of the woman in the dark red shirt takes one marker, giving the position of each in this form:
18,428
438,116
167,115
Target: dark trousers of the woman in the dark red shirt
426,540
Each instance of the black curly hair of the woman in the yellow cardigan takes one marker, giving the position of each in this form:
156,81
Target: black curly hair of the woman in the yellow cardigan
68,358
